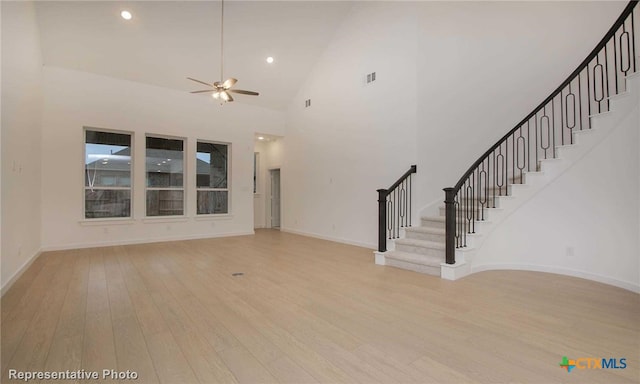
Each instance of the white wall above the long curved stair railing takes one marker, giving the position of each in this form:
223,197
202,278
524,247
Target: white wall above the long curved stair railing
483,66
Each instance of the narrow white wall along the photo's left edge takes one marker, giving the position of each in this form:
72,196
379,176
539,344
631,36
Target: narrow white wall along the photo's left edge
21,149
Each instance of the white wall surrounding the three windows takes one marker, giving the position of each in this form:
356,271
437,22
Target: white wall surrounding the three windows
74,100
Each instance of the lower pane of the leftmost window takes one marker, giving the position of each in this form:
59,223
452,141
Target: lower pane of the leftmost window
104,203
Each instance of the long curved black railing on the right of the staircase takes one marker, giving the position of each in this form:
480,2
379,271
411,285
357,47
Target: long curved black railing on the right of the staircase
584,93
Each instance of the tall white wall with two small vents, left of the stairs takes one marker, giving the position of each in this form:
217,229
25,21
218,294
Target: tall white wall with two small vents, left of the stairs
355,138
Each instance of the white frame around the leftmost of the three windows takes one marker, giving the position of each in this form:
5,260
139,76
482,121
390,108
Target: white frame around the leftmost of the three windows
130,188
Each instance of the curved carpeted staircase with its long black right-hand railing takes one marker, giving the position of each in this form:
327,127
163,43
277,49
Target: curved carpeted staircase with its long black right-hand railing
516,168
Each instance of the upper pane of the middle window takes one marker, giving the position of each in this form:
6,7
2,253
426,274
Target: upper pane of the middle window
164,162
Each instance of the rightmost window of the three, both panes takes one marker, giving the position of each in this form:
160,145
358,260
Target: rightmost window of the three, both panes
212,178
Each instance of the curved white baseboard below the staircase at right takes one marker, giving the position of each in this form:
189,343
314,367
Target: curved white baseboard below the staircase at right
629,286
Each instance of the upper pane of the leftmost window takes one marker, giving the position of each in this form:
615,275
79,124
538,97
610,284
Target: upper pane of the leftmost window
107,159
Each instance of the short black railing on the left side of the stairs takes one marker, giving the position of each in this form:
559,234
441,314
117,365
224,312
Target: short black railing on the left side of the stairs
394,209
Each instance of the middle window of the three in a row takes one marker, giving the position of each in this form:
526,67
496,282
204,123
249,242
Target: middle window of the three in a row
165,181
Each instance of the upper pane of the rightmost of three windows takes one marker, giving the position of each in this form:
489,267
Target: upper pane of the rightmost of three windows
211,169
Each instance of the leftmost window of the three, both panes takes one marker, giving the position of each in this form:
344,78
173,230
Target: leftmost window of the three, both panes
107,185
